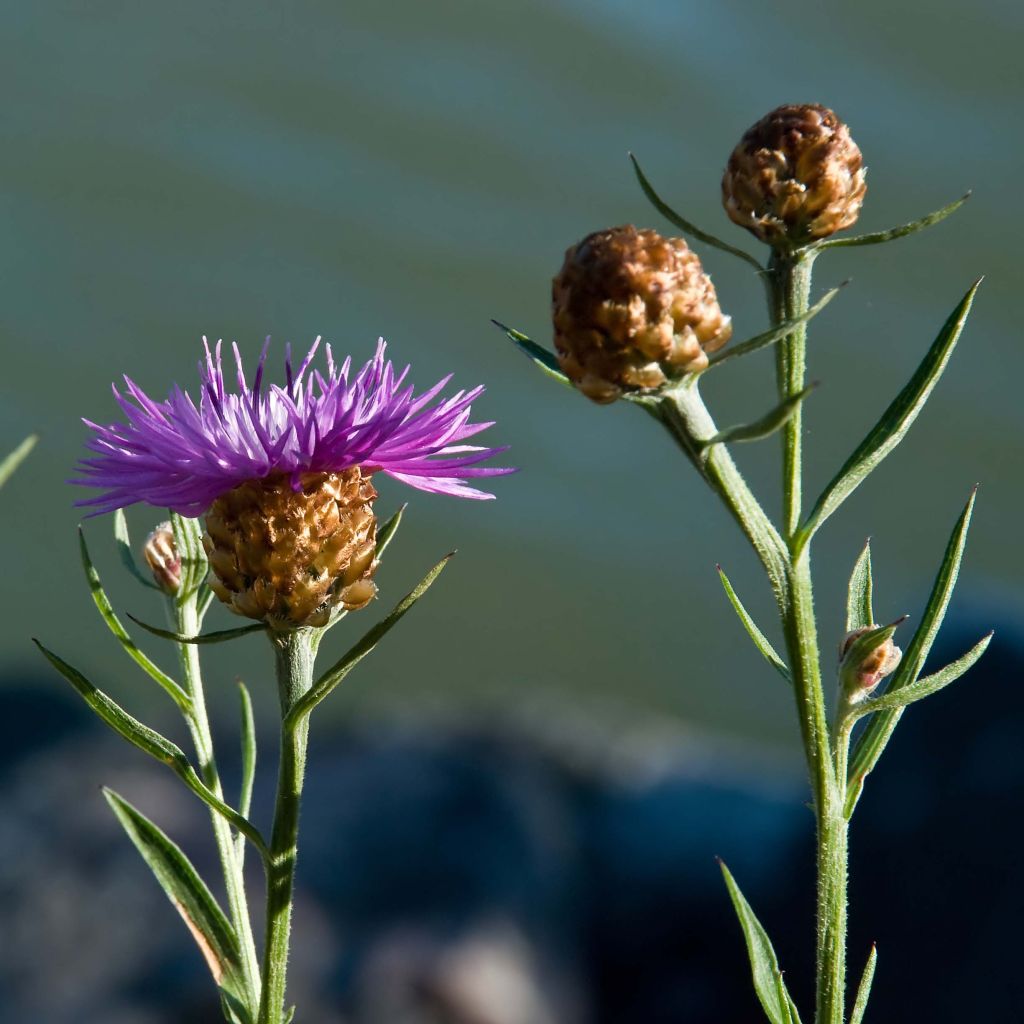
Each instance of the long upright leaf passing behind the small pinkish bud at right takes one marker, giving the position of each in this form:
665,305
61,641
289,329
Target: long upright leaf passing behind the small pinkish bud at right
876,736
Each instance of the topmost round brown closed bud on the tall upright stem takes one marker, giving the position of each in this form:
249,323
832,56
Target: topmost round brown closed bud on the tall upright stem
796,177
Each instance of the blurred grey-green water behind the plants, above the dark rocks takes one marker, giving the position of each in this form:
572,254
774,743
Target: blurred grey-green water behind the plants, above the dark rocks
412,170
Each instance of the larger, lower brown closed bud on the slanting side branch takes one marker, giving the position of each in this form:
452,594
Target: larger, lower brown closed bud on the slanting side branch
633,311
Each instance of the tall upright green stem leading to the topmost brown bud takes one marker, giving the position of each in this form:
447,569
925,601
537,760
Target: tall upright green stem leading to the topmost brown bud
790,281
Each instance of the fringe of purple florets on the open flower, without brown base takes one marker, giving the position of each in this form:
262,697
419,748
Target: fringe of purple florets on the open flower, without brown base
181,456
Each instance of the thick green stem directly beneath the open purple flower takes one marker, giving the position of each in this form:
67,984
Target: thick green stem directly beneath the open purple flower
295,653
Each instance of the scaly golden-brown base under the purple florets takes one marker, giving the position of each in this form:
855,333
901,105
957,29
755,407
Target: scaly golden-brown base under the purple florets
290,558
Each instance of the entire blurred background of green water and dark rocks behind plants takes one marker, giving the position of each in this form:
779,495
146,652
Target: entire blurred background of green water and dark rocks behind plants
516,805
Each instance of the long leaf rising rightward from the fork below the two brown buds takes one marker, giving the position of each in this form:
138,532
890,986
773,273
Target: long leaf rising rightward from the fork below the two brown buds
895,422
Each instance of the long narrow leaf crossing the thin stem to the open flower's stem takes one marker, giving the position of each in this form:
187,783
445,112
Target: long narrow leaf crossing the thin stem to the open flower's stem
154,744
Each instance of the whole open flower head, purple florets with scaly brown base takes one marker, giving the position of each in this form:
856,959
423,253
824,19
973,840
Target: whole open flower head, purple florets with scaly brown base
283,474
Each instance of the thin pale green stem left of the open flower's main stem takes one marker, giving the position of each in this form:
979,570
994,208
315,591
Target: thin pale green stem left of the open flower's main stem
186,621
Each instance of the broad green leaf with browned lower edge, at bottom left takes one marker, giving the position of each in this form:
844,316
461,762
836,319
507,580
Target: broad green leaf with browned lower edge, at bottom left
187,891
